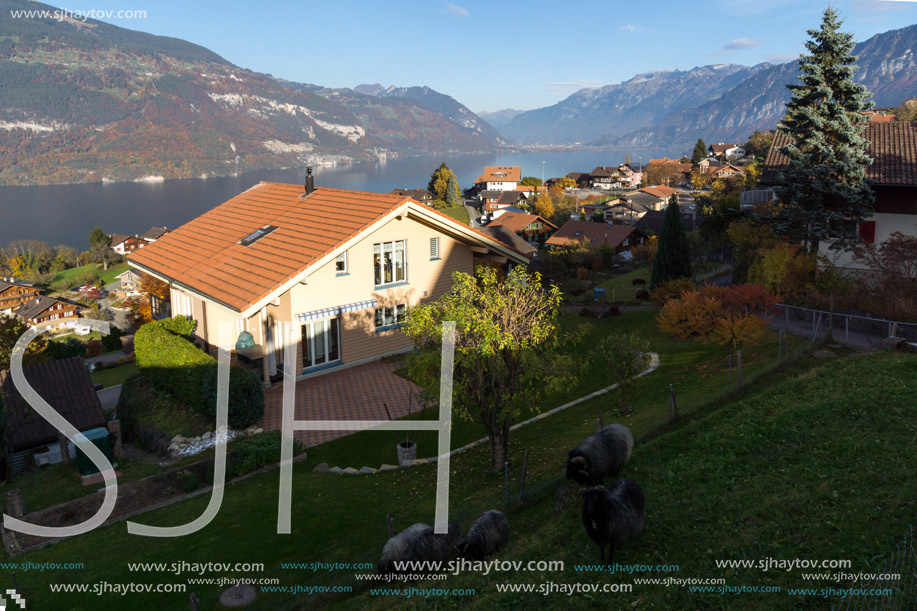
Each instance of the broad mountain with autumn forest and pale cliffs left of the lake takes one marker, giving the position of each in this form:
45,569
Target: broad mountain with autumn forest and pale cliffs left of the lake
89,101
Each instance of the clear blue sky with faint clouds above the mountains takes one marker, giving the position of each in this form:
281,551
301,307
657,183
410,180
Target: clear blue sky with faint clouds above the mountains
499,54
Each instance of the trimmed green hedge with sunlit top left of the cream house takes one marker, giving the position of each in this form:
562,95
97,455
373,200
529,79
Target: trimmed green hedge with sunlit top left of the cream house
166,357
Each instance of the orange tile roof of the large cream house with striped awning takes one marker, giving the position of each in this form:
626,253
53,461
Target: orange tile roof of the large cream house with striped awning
204,254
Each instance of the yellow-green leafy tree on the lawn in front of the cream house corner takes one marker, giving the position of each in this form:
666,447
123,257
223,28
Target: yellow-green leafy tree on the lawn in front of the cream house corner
507,348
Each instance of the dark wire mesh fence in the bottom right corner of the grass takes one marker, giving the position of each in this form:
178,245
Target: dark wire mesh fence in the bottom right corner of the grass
895,594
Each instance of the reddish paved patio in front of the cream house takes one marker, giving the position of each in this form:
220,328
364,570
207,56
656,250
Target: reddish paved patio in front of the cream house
356,393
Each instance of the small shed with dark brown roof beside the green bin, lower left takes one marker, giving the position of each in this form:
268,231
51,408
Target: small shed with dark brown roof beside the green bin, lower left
66,386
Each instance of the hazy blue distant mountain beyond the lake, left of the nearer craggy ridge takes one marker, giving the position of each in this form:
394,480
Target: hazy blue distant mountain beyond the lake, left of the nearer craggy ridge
617,109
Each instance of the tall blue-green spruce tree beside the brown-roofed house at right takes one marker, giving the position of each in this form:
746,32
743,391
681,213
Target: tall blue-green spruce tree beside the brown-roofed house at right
822,190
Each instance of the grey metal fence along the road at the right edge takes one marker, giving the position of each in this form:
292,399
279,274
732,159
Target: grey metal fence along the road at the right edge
845,326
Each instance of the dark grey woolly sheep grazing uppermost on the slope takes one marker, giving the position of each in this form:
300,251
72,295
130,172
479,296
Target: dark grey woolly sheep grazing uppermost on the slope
600,454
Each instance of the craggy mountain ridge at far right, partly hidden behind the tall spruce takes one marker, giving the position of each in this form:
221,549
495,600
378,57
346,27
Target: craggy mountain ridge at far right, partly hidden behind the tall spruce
886,65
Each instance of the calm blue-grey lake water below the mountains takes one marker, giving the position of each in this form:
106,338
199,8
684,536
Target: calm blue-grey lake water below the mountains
65,214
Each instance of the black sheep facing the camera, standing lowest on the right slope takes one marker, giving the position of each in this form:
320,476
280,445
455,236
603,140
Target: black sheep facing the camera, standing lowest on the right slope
614,514
